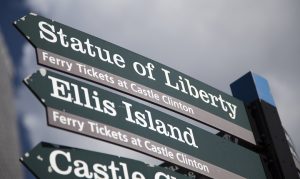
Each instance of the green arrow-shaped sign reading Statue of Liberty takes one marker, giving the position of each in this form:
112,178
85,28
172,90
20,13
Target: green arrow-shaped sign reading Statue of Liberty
74,52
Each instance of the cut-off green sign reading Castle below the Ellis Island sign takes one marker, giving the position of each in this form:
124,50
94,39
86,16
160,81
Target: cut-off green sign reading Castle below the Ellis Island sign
60,162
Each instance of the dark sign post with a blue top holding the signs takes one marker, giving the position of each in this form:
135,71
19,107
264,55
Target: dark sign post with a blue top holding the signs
268,130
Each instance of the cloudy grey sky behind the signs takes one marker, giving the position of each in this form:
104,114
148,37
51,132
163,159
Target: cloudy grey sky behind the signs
213,41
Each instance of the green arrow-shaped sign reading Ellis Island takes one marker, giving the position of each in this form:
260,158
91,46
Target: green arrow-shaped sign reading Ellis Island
94,112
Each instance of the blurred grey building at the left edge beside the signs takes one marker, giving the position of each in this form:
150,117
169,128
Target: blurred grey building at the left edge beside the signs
10,167
